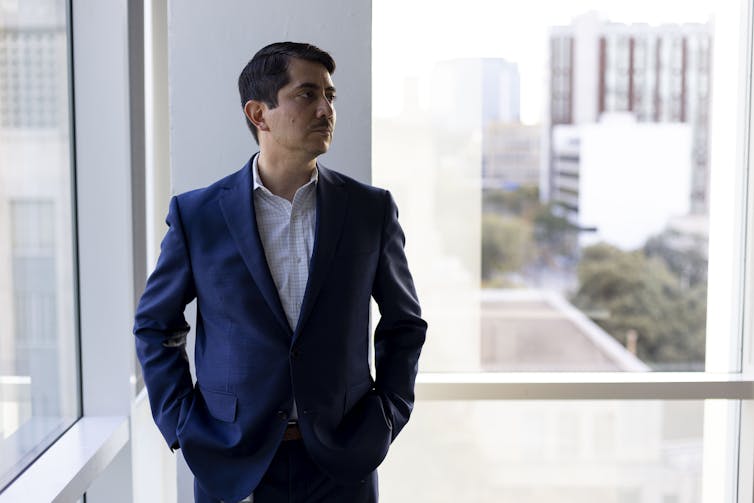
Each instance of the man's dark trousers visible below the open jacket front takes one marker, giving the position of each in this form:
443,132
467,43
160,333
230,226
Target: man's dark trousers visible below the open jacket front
294,478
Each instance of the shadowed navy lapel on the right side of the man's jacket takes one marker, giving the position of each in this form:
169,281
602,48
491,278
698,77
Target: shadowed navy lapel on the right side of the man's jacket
332,200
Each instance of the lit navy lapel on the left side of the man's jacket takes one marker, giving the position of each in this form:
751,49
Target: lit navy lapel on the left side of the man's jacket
238,209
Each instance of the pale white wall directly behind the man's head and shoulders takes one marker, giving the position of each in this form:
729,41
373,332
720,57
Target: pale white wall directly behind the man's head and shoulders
209,44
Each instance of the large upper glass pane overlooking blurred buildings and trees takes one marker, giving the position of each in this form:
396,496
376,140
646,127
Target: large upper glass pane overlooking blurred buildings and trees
562,152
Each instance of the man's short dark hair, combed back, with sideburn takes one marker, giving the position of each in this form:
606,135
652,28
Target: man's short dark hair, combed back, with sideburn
267,72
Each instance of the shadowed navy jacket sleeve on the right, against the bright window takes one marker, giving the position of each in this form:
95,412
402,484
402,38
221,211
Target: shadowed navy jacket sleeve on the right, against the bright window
400,333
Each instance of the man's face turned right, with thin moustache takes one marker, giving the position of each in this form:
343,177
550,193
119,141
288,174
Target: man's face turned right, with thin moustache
303,121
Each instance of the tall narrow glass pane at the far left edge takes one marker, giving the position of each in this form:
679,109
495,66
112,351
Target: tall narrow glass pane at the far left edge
39,392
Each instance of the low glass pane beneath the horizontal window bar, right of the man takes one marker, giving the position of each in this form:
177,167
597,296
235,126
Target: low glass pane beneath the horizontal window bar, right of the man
555,451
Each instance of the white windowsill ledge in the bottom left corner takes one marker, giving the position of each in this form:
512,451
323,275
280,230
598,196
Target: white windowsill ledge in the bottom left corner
72,463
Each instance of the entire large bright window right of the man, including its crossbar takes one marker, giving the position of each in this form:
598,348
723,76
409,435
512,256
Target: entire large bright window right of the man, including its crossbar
579,233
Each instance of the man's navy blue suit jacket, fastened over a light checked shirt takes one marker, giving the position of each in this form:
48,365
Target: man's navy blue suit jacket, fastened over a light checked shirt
249,362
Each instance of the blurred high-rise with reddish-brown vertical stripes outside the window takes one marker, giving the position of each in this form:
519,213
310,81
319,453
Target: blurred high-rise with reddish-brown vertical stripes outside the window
659,74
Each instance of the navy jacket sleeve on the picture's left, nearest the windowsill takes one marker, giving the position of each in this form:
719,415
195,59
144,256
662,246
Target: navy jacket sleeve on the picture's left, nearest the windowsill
160,328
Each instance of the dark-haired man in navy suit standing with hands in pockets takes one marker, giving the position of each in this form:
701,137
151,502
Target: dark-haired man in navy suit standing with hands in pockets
282,258
